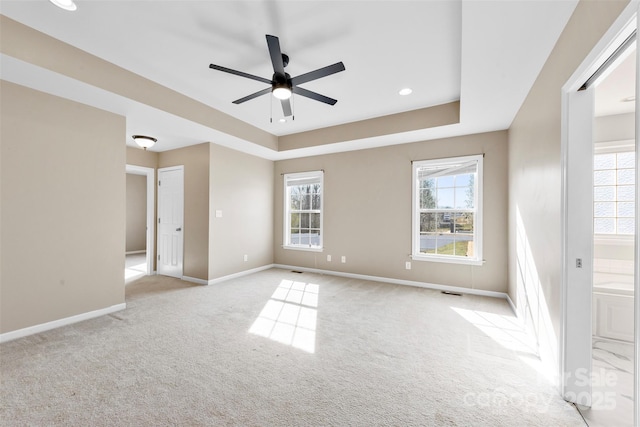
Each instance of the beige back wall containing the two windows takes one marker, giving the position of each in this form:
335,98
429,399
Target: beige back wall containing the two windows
367,212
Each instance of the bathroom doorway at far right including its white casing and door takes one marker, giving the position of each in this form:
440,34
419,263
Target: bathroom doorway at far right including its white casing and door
599,230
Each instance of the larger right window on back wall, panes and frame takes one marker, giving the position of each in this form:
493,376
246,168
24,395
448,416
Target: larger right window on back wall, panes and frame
447,214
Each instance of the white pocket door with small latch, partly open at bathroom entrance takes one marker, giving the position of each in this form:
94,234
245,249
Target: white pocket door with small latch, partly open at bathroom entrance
578,247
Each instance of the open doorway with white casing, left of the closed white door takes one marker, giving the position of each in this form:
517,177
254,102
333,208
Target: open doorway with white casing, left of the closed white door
140,204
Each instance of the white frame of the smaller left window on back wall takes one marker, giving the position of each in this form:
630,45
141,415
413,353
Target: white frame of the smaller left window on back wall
310,177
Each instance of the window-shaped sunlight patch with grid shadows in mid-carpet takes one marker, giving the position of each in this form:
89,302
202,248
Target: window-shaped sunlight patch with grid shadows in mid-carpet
289,317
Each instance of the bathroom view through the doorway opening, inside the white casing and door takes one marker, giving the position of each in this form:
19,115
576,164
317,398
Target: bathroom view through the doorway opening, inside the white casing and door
614,182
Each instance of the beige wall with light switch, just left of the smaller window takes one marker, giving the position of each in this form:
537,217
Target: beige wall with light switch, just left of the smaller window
242,189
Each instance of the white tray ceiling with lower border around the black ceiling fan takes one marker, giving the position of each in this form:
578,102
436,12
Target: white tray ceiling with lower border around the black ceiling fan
486,54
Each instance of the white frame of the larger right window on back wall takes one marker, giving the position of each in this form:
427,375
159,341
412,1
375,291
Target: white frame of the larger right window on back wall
477,232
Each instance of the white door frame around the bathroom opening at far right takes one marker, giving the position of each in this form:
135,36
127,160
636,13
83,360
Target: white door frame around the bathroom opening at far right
572,337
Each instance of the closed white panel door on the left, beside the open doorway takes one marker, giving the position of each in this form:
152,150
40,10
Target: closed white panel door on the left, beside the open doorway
170,221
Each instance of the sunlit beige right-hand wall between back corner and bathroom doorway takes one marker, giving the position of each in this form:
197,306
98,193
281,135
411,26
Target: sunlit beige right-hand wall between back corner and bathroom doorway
535,178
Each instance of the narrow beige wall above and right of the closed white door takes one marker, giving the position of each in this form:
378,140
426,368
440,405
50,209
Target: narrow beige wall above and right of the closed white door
195,160
